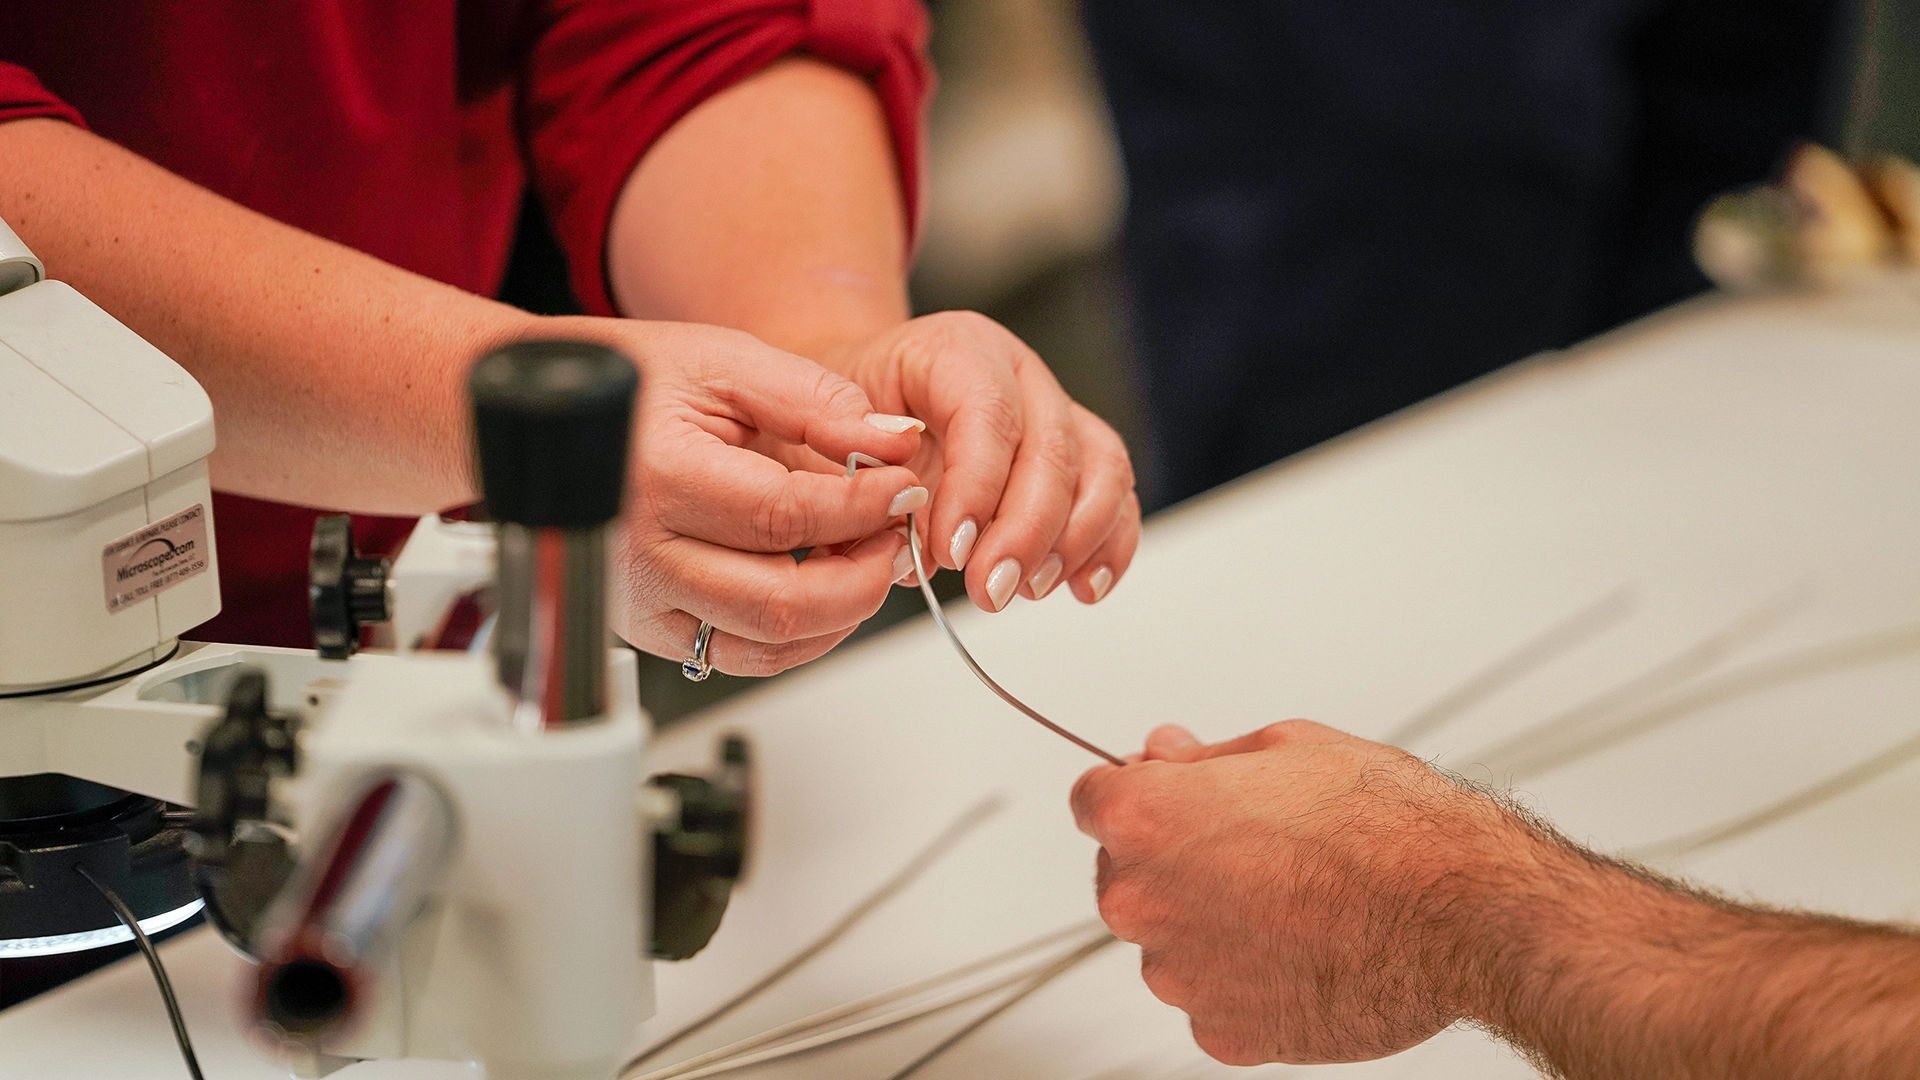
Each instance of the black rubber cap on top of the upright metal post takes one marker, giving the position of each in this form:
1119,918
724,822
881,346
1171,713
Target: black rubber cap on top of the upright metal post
552,422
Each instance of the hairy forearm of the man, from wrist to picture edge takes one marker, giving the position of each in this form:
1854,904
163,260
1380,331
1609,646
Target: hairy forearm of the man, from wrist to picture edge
1608,973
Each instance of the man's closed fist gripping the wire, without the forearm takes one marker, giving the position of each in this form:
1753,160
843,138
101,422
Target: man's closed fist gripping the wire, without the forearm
1291,891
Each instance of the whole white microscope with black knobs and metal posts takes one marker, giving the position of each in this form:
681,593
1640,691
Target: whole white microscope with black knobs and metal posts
446,850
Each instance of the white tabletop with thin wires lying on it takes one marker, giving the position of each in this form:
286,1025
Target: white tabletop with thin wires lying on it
1729,483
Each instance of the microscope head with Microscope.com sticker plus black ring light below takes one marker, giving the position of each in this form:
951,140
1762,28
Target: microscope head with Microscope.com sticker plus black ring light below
107,556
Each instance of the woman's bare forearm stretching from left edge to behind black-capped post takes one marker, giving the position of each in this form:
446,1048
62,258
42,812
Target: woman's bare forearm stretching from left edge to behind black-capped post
335,378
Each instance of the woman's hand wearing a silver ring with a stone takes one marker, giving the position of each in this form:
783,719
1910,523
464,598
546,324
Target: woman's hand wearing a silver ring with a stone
713,512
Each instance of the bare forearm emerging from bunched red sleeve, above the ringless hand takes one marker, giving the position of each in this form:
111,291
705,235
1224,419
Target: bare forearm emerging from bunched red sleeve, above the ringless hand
773,209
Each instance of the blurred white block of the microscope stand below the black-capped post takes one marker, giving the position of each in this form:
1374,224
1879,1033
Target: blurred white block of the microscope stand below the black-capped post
535,962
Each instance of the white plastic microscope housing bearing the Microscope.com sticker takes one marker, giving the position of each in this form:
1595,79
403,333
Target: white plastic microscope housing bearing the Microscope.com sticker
101,437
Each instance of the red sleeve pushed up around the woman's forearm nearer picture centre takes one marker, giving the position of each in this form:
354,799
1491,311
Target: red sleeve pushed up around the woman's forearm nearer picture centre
608,78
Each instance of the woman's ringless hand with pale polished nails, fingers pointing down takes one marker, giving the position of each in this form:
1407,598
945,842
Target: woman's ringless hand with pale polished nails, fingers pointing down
1030,489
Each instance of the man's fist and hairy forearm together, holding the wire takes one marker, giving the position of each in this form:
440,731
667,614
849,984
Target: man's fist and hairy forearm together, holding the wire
1310,896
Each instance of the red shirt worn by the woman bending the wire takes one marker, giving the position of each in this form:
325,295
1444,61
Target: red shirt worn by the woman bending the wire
410,132
